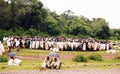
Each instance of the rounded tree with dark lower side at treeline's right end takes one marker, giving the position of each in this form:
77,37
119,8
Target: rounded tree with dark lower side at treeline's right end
100,28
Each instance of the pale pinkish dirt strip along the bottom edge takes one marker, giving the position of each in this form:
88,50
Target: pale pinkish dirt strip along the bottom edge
99,71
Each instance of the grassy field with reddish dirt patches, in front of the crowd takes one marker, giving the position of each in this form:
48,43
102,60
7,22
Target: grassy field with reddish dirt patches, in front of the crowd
66,57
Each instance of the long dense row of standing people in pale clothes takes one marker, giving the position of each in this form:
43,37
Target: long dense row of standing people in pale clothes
57,44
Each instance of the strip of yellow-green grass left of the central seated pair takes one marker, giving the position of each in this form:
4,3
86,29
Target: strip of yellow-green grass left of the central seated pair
26,65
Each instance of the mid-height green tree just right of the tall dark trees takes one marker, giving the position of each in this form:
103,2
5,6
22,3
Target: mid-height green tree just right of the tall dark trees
51,26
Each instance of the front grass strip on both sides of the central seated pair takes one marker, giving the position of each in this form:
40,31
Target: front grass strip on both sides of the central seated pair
68,65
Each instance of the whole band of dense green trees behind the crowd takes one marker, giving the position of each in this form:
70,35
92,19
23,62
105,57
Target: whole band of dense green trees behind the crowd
29,17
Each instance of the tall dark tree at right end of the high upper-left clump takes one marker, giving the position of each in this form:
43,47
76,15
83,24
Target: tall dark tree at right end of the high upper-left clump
33,16
